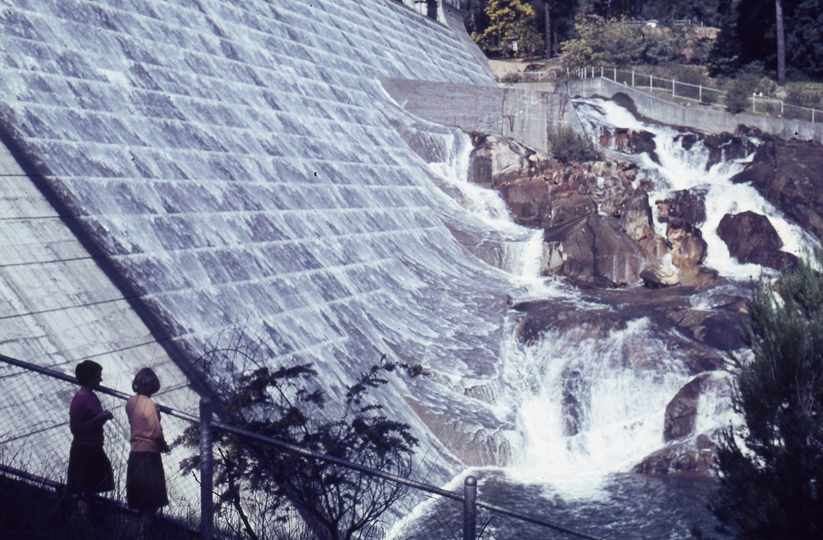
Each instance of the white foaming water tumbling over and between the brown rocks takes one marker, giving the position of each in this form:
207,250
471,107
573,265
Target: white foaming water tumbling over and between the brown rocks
590,398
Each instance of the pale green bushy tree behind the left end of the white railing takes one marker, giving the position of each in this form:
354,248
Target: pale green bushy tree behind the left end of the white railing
602,42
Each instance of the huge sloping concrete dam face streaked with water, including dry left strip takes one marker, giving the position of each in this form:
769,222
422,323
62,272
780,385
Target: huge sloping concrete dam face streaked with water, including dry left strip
181,170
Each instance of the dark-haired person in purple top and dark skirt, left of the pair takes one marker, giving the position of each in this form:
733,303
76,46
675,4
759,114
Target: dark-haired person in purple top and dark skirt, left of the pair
89,467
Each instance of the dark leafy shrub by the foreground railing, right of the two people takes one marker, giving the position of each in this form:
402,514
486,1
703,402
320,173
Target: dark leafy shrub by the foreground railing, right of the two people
287,403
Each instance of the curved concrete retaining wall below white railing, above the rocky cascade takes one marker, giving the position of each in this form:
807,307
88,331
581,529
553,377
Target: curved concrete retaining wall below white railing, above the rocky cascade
698,117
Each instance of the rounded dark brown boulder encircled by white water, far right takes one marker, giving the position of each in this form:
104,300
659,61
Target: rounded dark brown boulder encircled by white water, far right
751,238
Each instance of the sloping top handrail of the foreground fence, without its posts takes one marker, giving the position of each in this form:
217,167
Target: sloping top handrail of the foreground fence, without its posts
310,453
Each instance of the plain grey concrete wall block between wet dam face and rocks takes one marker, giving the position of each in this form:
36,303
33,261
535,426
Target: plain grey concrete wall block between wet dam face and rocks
527,116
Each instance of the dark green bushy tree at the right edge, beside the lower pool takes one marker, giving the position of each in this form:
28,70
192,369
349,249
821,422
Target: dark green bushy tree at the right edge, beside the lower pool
773,487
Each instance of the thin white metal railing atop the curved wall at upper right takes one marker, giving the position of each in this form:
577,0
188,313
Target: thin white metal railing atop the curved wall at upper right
699,93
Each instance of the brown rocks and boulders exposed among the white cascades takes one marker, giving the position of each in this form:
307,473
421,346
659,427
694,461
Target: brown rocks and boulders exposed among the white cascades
632,257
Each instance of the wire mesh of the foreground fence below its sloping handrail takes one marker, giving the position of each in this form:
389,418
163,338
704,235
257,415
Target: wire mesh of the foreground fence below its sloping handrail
35,440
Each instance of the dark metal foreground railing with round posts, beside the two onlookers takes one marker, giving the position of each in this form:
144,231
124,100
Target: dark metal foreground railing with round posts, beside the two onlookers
208,425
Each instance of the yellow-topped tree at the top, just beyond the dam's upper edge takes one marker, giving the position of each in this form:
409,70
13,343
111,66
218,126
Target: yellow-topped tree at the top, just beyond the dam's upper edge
511,30
